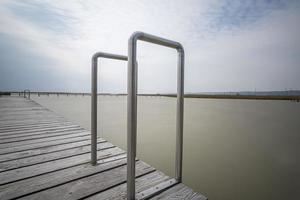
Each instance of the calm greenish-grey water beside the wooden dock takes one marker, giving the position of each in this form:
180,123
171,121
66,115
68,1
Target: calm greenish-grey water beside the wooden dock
233,149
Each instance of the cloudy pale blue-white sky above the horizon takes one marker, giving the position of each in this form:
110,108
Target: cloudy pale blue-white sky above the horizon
230,45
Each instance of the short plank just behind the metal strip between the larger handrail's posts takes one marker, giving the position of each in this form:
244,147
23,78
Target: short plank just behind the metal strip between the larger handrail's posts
142,183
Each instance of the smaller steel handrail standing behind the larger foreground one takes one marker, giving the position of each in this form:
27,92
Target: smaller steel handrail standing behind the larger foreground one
94,99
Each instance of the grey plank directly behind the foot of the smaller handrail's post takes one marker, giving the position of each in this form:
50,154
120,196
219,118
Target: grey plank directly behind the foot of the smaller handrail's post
39,169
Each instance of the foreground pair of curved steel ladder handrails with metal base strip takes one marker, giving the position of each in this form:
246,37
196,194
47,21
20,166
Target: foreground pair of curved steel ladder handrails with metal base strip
132,108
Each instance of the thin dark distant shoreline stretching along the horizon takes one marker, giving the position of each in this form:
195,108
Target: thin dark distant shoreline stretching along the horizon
204,96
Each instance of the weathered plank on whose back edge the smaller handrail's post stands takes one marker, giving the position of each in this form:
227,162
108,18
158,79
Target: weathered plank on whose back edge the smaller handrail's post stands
49,180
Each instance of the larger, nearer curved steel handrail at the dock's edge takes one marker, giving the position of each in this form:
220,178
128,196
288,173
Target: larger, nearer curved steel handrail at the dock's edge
132,106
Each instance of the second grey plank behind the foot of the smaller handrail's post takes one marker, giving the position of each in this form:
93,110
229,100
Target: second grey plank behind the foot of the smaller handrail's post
23,162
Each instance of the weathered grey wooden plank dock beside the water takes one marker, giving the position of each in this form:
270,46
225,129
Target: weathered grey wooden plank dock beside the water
44,156
